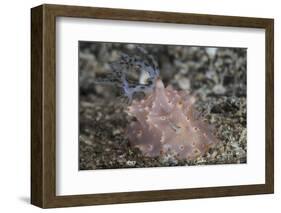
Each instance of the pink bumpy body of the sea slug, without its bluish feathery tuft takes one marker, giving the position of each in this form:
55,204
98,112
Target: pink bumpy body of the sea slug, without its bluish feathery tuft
167,123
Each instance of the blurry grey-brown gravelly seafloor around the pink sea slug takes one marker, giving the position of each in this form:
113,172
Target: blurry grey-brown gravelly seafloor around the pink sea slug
215,76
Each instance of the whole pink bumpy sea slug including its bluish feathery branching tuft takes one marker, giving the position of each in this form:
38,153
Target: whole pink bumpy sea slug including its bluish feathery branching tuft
166,121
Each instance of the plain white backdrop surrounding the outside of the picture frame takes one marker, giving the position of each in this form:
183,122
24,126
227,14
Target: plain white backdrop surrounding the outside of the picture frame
15,105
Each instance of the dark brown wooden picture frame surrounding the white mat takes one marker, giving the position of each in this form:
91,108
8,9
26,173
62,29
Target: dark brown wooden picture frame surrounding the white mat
43,105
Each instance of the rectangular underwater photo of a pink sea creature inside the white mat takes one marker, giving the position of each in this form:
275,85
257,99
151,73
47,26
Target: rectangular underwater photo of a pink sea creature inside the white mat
155,105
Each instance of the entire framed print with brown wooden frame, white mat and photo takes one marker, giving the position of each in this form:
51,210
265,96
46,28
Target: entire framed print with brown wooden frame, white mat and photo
136,106
